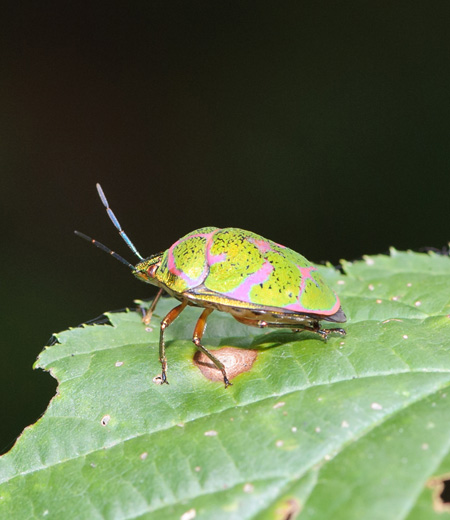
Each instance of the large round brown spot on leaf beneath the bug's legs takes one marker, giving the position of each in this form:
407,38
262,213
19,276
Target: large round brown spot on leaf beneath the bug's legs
236,361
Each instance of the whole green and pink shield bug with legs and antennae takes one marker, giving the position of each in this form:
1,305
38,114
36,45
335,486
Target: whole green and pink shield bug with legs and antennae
259,282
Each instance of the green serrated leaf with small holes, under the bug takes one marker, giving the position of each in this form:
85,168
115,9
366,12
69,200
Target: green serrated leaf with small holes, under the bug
349,429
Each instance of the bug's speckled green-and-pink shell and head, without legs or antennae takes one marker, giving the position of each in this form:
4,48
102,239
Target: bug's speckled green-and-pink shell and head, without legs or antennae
232,266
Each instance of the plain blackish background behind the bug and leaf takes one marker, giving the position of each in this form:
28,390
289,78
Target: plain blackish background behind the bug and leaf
323,126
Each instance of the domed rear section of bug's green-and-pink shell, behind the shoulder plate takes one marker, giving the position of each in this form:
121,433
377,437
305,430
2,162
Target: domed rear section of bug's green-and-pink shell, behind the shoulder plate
246,267
